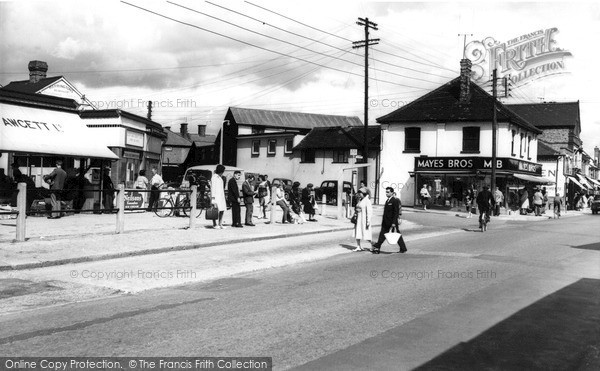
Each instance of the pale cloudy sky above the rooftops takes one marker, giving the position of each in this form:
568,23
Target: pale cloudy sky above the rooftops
194,59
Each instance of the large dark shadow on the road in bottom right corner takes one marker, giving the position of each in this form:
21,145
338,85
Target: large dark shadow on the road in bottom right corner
559,332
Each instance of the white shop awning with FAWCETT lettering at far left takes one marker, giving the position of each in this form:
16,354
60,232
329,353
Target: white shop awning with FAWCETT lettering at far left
50,132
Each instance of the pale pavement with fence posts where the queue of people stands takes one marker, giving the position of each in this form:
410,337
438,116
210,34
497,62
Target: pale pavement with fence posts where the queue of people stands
92,237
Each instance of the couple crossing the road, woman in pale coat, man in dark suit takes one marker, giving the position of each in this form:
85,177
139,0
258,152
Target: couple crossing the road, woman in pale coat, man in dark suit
364,216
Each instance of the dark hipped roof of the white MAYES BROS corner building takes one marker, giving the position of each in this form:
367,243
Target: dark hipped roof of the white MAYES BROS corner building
443,105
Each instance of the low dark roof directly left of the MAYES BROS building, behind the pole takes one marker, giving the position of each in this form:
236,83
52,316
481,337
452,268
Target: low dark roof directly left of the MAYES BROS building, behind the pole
340,138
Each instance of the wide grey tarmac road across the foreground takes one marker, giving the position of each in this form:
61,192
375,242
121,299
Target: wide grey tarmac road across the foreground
519,295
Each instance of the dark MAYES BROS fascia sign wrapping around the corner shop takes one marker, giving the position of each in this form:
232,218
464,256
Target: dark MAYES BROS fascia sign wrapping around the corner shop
473,164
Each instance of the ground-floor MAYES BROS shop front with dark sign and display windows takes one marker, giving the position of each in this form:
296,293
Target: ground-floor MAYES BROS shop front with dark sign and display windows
447,179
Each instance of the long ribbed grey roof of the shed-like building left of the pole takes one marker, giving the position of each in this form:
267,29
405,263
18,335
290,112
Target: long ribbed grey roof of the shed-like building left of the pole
288,120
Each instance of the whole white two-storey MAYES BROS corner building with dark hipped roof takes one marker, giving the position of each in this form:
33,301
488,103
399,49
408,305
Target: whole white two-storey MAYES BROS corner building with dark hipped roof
443,140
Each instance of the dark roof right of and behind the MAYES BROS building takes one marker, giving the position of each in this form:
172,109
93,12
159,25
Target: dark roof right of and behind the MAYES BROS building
544,115
